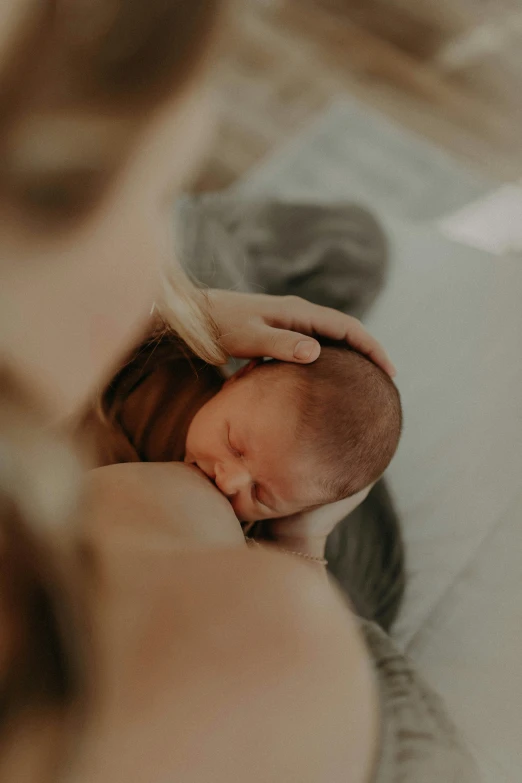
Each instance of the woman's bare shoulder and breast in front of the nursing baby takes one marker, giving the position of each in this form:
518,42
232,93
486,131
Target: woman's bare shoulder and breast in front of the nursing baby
254,650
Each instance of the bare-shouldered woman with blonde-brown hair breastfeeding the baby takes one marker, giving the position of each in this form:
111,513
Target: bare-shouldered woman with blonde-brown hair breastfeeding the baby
139,639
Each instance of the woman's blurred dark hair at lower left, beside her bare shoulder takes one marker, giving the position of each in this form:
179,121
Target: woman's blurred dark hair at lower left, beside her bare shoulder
45,647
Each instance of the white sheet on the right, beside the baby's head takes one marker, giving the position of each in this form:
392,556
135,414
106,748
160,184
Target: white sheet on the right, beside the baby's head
452,320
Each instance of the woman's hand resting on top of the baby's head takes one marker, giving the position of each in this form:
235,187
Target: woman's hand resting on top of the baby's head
282,327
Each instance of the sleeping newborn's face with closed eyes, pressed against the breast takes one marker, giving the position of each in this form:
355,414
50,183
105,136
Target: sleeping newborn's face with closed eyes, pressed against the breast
244,440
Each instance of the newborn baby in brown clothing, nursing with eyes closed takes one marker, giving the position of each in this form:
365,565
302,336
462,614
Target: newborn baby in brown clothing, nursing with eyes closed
276,438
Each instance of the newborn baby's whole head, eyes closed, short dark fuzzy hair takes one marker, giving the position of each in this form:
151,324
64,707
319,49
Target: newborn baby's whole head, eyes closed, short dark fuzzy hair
280,438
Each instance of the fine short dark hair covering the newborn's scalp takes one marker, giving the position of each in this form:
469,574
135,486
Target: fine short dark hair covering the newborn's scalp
349,416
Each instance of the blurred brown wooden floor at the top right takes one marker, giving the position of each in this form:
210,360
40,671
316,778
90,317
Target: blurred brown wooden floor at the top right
451,71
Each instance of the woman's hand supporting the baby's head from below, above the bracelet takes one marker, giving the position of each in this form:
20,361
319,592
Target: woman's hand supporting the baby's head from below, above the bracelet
307,532
